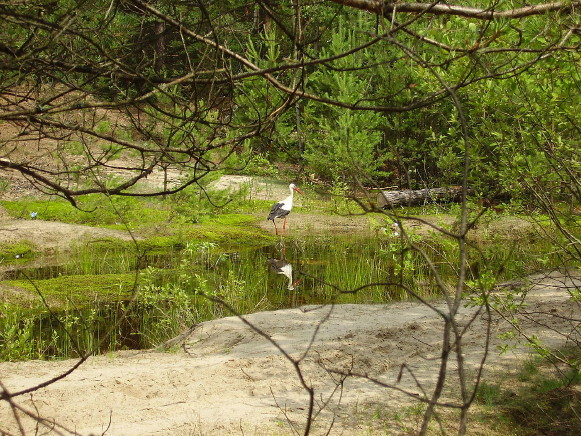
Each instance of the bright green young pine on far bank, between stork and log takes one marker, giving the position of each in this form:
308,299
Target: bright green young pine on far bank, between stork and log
342,144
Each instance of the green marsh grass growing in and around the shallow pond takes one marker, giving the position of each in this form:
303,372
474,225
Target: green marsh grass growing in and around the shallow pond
113,295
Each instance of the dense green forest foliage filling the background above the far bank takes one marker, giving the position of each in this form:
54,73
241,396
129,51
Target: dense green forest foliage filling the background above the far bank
519,122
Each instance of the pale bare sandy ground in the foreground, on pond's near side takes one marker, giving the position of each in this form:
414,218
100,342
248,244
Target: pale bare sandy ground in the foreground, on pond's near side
228,379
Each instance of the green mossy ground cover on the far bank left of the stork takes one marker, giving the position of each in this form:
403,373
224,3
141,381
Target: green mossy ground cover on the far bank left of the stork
149,217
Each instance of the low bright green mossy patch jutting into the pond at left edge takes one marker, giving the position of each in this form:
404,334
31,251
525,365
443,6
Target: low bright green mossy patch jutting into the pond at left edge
80,289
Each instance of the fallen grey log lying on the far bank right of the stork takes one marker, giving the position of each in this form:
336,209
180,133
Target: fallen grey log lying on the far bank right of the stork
408,197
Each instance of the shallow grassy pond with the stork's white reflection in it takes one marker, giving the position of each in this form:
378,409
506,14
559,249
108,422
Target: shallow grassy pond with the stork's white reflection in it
178,289
